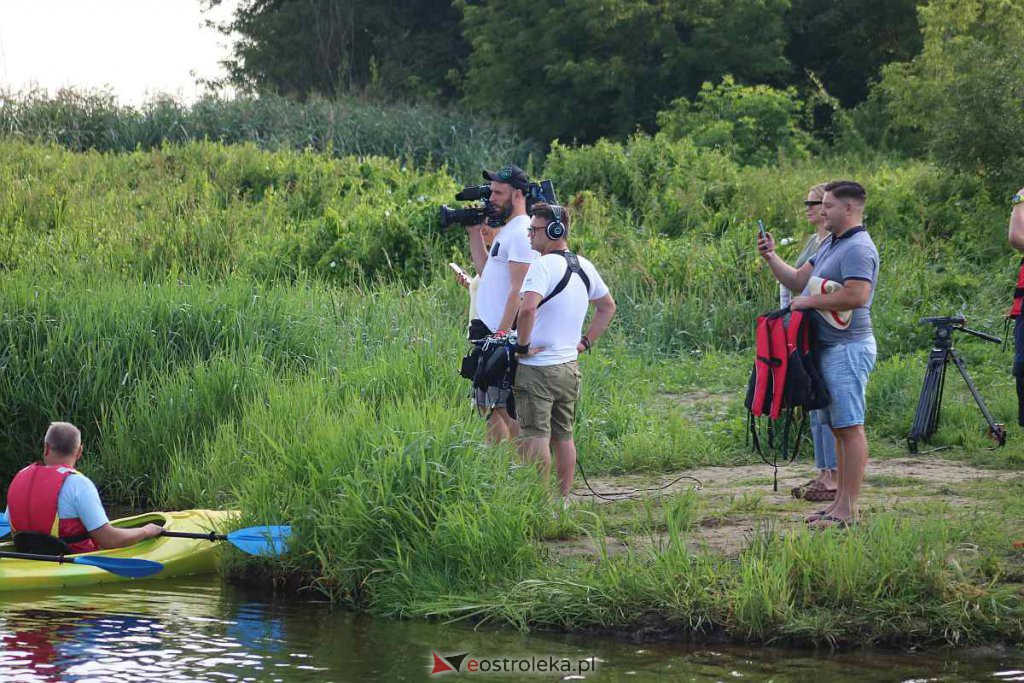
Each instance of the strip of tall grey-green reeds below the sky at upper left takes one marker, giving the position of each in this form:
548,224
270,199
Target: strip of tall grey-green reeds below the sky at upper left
423,136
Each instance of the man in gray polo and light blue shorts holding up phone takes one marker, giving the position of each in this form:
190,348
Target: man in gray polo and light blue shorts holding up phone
849,257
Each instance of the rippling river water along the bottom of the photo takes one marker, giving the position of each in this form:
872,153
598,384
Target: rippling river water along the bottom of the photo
201,630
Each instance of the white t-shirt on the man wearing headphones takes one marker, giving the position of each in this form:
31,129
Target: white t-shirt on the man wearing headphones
560,322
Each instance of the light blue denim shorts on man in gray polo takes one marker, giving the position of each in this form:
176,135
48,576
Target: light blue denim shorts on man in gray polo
845,369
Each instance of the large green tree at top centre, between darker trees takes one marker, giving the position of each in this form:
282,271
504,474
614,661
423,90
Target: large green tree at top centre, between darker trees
580,70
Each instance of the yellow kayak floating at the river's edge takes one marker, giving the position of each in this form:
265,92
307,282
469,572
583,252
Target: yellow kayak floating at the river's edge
181,558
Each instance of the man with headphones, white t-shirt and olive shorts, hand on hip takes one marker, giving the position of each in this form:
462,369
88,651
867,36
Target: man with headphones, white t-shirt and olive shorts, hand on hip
557,294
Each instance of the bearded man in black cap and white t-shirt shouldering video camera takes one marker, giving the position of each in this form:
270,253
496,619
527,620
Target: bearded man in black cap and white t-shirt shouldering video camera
502,270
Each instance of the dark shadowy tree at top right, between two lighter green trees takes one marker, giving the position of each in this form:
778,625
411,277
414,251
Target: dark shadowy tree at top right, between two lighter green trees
848,44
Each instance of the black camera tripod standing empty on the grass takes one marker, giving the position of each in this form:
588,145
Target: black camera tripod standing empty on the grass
926,419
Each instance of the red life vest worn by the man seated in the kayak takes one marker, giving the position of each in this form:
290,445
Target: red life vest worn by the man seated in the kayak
32,507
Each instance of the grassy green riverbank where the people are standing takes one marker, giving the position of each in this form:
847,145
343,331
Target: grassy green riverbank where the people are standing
276,331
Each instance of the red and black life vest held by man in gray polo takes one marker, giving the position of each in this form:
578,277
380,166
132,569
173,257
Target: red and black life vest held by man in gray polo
785,386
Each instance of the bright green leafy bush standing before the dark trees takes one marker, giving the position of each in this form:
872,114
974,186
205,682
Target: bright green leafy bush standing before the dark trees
753,124
